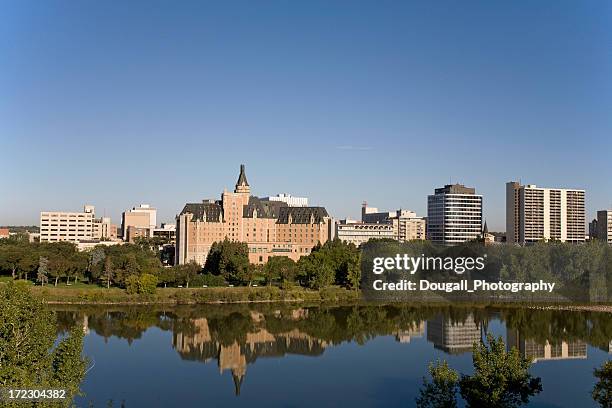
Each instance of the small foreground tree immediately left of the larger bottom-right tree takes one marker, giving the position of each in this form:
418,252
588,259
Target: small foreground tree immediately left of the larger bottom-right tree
441,392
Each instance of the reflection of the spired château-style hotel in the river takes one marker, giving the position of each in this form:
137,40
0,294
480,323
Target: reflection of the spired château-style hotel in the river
236,356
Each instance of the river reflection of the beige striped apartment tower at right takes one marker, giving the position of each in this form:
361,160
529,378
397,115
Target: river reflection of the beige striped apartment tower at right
530,348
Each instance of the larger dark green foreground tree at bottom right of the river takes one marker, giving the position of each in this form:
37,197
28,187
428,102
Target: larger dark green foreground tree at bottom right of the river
500,379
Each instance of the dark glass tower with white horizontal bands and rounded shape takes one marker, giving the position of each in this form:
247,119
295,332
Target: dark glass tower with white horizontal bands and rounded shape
454,215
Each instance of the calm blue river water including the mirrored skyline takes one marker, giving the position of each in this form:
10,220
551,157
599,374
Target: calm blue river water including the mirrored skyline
271,355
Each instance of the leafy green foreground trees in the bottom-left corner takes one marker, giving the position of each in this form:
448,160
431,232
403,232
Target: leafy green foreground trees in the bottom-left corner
29,358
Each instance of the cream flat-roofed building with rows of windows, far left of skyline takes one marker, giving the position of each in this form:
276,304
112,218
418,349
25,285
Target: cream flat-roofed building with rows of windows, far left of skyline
57,226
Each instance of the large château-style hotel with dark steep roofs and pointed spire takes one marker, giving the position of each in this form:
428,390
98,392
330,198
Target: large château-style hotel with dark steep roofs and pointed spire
270,228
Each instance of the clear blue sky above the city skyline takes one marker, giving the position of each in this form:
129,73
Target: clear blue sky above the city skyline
116,103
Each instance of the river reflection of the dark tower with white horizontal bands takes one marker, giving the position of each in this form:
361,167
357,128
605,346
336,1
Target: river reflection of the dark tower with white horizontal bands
453,338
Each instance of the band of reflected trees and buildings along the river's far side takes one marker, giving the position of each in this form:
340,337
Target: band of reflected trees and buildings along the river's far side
234,337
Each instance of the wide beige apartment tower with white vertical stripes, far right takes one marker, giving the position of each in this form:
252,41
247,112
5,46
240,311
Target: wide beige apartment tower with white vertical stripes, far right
534,214
